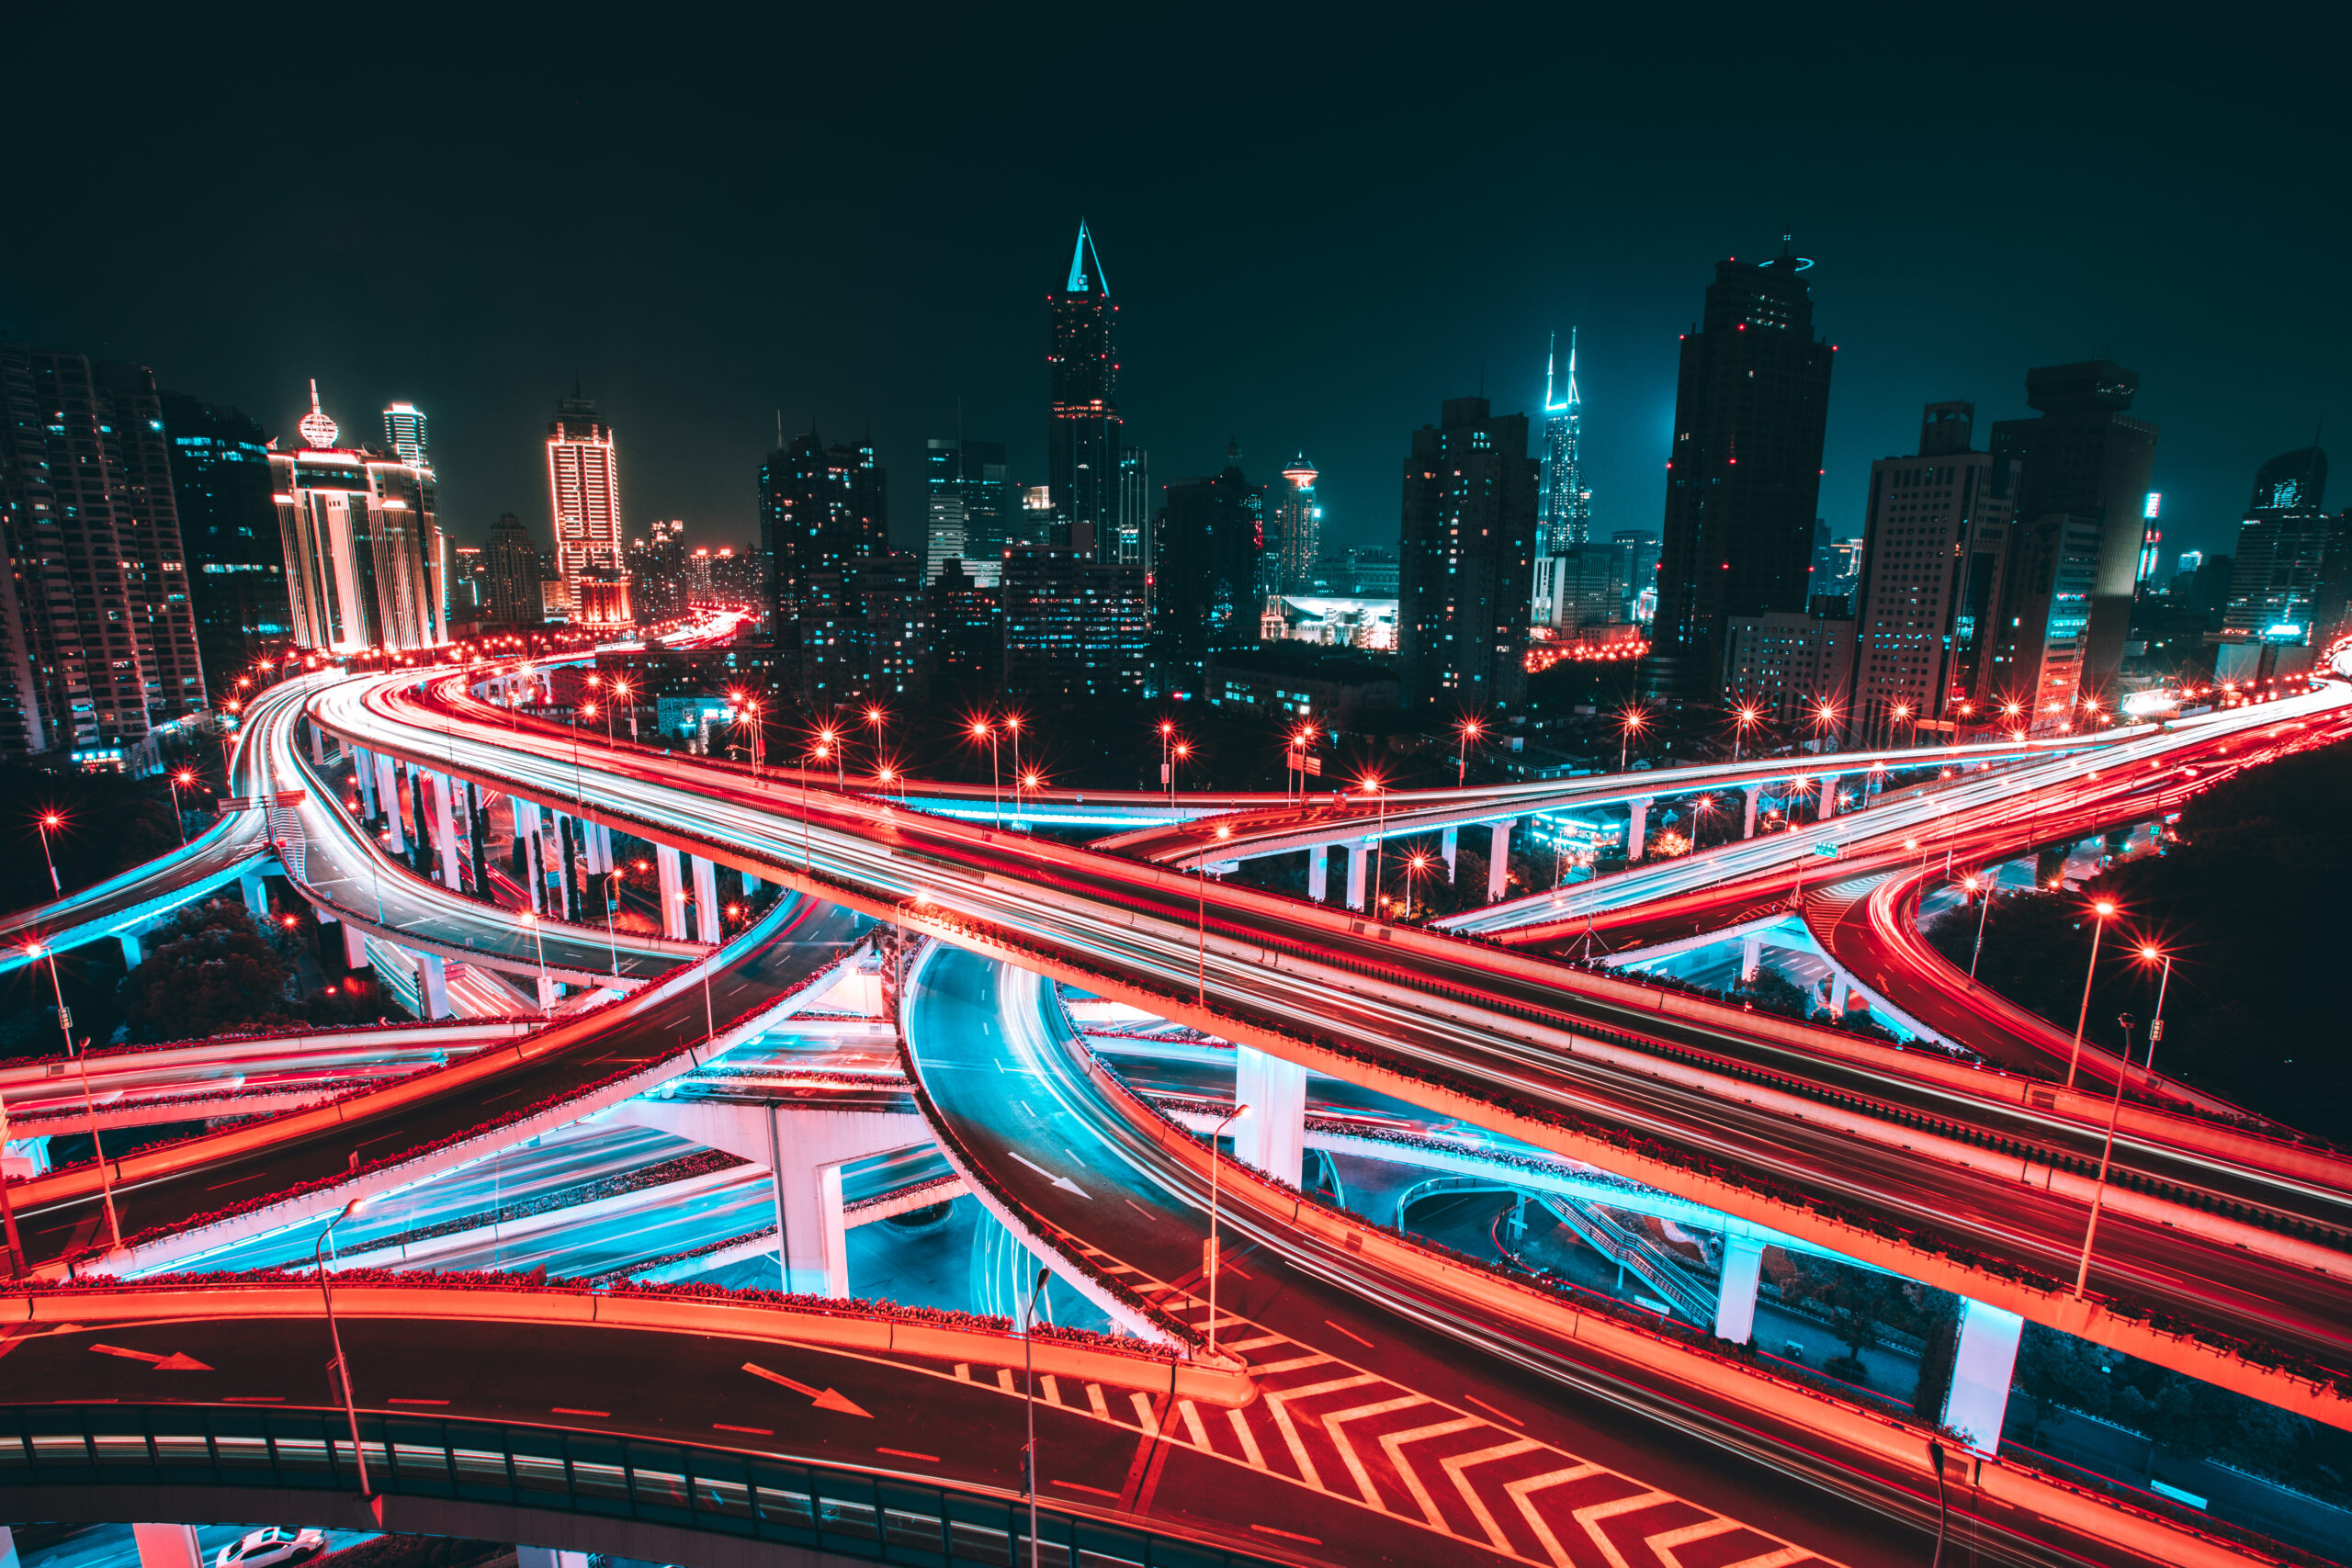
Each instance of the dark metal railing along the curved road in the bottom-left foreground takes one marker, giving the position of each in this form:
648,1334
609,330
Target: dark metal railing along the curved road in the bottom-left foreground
838,1510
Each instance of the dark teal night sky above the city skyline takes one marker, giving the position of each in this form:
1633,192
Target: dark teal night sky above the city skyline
1316,229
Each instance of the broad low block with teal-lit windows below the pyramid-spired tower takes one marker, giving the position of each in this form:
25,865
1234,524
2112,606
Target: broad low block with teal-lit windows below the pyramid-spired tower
1074,629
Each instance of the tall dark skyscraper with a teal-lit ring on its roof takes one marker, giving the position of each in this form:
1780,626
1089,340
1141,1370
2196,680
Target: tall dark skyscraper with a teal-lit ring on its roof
1744,474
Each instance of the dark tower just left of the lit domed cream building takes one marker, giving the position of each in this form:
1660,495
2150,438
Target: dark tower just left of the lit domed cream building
229,530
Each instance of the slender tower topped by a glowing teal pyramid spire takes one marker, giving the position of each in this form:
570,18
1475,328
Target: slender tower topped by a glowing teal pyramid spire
1083,417
